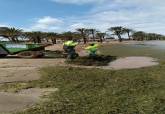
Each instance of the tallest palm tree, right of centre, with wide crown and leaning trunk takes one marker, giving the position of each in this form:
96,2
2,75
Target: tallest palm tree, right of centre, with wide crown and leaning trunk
117,31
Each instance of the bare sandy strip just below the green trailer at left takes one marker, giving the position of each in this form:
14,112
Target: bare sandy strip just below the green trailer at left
18,70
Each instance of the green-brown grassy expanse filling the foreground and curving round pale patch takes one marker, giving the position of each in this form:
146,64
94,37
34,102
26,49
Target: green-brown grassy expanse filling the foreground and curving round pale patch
96,91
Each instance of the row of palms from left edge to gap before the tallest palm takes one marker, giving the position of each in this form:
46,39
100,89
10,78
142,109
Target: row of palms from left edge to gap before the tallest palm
17,35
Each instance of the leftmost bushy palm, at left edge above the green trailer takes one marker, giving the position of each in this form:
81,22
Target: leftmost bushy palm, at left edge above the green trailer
11,33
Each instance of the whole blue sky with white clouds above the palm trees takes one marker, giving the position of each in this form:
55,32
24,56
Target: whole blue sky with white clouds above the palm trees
65,15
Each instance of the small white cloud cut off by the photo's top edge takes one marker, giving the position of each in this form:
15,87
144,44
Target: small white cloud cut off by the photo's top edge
78,1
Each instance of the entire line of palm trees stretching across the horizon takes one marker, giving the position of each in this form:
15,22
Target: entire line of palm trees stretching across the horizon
82,34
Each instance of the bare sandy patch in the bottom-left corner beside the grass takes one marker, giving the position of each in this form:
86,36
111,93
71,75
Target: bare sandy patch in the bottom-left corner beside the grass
10,102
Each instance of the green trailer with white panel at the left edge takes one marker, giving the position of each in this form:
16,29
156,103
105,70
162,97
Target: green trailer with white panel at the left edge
22,50
